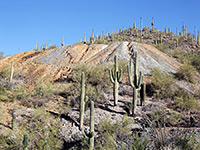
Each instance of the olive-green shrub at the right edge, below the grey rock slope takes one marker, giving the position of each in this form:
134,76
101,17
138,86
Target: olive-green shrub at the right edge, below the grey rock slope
186,103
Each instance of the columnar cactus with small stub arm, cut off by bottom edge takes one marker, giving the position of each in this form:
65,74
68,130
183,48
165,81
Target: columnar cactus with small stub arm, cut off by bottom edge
91,138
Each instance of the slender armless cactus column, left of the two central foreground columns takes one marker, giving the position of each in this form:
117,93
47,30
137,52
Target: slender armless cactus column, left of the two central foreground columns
82,103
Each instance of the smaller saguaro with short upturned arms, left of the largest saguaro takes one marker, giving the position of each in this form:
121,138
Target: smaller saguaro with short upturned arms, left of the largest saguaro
115,78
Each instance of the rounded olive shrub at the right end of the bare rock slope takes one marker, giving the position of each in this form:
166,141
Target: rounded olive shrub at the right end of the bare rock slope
186,72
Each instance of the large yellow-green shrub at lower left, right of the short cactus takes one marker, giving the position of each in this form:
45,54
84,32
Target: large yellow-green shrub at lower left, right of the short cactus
42,130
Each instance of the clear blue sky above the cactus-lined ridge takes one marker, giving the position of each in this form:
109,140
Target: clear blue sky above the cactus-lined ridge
25,22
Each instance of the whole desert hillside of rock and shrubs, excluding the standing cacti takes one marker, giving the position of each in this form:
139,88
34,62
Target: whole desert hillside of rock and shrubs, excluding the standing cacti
45,96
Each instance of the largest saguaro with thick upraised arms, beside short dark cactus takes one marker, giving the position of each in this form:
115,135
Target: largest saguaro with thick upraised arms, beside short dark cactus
136,85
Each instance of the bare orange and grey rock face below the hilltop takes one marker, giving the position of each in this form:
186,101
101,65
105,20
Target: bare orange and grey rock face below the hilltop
57,63
